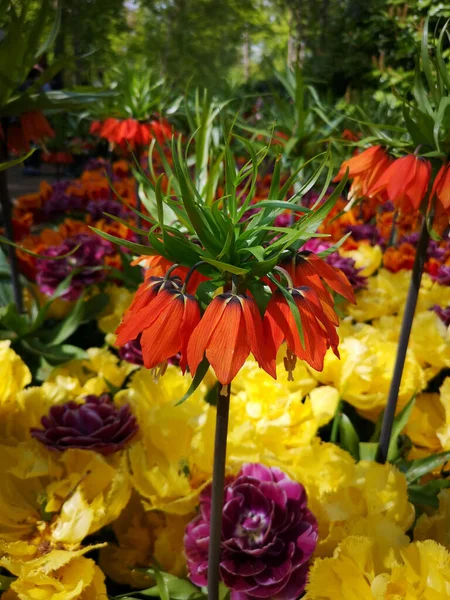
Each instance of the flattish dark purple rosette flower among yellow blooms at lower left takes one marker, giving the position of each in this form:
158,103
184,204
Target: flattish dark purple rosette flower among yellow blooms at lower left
95,425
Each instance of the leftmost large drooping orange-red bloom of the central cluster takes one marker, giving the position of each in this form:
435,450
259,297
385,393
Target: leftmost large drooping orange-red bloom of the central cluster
165,317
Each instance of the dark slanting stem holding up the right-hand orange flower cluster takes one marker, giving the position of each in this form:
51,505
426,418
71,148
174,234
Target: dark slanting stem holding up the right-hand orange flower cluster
408,316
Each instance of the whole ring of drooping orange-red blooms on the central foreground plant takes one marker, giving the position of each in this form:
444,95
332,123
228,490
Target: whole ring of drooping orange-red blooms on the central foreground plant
169,322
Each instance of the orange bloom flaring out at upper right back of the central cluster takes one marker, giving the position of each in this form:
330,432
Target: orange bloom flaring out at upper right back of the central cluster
308,269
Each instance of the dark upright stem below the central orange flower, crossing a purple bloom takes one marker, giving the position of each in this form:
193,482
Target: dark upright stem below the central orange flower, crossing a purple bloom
218,484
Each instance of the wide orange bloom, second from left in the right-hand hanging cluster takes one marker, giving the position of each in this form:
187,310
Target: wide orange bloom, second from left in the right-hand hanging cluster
405,182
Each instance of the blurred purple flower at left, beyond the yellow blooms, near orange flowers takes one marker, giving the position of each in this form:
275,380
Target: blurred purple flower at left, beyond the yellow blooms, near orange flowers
88,258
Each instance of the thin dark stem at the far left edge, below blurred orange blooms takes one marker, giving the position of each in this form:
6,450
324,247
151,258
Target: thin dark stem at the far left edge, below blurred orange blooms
9,231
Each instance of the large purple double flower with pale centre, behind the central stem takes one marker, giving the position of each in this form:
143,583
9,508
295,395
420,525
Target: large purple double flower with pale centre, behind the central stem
268,536
